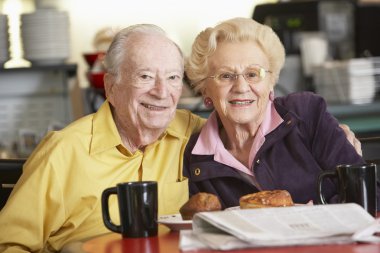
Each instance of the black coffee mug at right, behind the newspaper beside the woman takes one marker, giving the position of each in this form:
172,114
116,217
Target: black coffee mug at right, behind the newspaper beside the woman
356,183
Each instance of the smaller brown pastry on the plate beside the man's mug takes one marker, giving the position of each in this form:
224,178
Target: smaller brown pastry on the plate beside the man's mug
200,202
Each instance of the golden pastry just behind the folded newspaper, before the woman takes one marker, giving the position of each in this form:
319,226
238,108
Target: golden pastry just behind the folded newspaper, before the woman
275,198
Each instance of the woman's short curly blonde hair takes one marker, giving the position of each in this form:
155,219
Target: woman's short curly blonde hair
233,30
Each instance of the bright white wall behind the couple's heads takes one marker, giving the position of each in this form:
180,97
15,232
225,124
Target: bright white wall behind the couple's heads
182,20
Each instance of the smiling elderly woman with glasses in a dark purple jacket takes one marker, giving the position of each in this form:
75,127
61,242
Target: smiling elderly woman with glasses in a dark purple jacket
253,141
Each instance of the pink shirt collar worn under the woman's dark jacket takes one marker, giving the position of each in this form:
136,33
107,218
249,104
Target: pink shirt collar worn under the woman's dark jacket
209,142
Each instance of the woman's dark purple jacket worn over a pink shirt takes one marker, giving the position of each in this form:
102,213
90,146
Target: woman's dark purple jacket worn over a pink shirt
291,158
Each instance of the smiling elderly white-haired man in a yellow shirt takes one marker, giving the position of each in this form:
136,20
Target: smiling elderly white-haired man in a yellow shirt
136,135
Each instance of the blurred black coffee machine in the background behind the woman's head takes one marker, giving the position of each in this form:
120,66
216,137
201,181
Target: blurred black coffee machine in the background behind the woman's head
290,20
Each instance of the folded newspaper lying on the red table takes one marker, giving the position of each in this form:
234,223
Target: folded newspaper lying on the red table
270,227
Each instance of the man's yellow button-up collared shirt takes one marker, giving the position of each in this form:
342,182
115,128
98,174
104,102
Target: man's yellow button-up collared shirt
57,199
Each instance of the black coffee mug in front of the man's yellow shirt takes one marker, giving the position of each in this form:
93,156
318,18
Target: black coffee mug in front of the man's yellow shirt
138,207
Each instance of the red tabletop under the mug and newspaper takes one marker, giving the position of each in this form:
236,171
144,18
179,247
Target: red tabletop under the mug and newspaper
168,242
